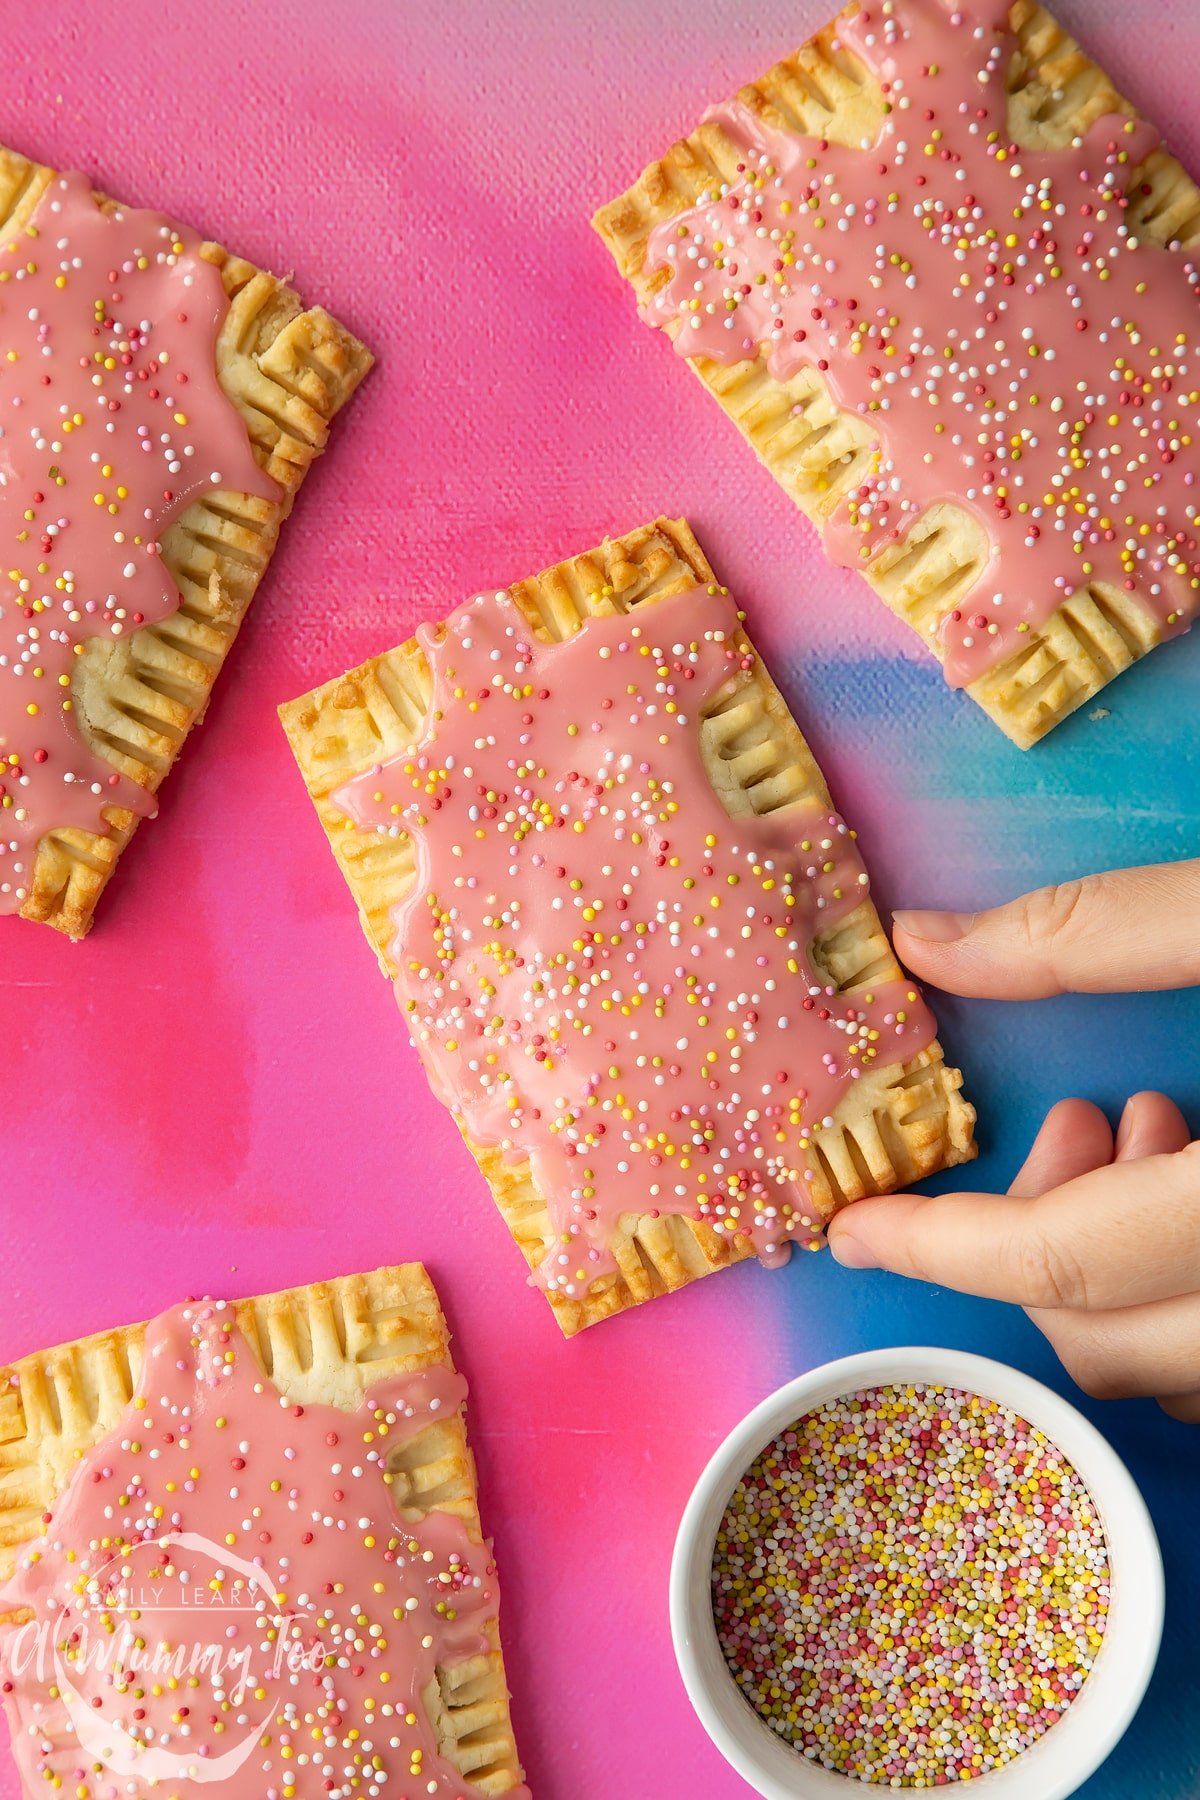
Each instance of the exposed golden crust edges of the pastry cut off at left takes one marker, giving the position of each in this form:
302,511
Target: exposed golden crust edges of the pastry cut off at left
289,370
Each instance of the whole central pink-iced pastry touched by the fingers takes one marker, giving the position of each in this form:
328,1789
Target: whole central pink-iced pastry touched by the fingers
629,933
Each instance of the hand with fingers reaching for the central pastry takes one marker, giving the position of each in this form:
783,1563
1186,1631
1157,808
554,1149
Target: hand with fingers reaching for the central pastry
1098,1239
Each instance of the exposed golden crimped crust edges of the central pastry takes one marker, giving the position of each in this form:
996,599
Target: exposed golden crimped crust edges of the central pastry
897,1124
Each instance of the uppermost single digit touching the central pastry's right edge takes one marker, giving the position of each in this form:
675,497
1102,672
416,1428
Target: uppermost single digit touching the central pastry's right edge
1100,935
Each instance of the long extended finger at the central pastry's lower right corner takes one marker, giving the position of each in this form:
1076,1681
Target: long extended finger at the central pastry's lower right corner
1115,1237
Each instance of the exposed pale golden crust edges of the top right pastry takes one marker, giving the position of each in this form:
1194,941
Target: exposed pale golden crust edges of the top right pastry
818,453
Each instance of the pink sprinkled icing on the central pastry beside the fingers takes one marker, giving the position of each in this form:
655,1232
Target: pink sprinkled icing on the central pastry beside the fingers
604,971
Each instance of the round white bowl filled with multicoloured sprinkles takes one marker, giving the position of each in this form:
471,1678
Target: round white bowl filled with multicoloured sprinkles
917,1569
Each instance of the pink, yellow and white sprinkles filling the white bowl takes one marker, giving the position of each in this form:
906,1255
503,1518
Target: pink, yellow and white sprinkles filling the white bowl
911,1585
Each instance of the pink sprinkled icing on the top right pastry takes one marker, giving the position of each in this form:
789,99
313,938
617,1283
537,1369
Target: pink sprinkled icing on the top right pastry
985,309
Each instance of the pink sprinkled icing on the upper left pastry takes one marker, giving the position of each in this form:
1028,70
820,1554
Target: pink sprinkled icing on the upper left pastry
112,422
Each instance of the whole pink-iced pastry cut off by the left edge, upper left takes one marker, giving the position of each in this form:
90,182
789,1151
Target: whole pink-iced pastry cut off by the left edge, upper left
161,404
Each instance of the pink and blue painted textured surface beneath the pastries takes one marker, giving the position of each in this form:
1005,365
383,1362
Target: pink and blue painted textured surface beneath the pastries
192,1102
